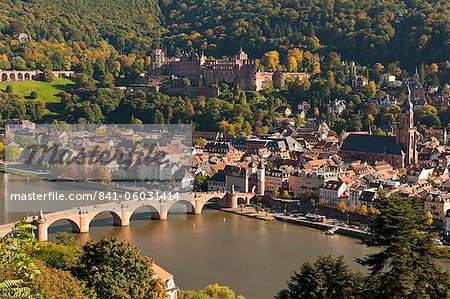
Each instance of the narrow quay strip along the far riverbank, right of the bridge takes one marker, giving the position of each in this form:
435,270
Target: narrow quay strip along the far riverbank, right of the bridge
323,226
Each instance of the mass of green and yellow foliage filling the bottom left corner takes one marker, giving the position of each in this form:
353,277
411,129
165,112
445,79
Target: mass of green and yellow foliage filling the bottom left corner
64,269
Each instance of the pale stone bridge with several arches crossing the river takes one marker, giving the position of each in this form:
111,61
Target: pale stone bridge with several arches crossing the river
121,212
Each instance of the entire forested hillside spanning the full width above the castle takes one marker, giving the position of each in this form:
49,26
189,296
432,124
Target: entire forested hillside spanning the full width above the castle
111,36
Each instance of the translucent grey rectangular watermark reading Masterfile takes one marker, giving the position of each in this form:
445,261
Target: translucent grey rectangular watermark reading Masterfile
57,167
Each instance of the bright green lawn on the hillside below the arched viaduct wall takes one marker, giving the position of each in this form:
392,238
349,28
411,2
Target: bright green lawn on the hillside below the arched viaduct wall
46,91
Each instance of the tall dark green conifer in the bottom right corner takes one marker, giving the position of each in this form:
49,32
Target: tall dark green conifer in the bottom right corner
406,265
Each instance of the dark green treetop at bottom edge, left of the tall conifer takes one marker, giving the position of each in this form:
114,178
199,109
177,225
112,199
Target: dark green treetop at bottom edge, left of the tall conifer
325,278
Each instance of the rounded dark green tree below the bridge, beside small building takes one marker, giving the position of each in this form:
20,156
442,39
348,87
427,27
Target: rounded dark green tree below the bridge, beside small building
115,270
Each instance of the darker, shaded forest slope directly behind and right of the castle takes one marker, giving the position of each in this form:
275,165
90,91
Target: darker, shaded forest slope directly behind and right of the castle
367,31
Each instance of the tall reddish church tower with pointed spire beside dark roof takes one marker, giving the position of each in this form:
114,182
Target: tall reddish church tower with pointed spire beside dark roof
407,133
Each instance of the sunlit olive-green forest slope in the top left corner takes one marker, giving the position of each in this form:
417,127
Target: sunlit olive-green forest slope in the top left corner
129,26
